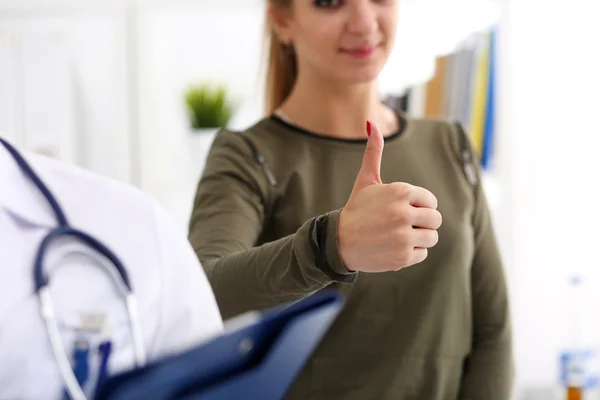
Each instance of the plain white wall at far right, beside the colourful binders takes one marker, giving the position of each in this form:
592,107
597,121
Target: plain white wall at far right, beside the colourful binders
550,156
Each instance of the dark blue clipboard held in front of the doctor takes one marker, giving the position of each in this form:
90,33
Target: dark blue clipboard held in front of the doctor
257,361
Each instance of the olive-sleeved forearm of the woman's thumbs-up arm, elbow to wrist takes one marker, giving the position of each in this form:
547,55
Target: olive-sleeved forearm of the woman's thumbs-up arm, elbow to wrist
281,271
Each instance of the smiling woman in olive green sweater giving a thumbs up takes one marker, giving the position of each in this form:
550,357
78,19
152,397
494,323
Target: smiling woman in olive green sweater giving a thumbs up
295,204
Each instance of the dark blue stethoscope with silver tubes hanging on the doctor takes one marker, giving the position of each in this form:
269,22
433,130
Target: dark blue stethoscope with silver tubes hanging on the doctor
73,377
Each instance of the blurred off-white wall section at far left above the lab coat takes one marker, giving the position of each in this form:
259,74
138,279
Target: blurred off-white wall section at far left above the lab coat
63,87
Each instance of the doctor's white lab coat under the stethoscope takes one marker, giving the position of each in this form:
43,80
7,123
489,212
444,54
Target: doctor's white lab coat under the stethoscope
177,306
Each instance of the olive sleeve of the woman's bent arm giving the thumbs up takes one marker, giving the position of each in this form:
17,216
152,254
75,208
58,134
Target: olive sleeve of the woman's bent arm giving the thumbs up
232,202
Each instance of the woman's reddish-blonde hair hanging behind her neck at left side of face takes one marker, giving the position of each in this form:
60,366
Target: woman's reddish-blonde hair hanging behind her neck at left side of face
282,69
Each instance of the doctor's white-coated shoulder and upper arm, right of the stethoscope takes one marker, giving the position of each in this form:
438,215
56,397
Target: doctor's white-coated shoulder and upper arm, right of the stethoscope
154,250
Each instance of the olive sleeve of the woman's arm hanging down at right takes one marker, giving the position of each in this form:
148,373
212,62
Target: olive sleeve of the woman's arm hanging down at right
489,368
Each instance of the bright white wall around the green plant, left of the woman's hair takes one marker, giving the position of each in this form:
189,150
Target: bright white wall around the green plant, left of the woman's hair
186,45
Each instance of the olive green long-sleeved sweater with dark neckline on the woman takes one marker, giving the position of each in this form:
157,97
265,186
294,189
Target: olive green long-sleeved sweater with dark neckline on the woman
264,226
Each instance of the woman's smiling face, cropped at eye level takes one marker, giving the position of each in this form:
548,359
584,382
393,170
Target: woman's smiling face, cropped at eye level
344,40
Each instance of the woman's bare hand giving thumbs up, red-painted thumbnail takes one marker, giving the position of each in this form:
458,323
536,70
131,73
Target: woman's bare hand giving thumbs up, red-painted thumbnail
385,227
